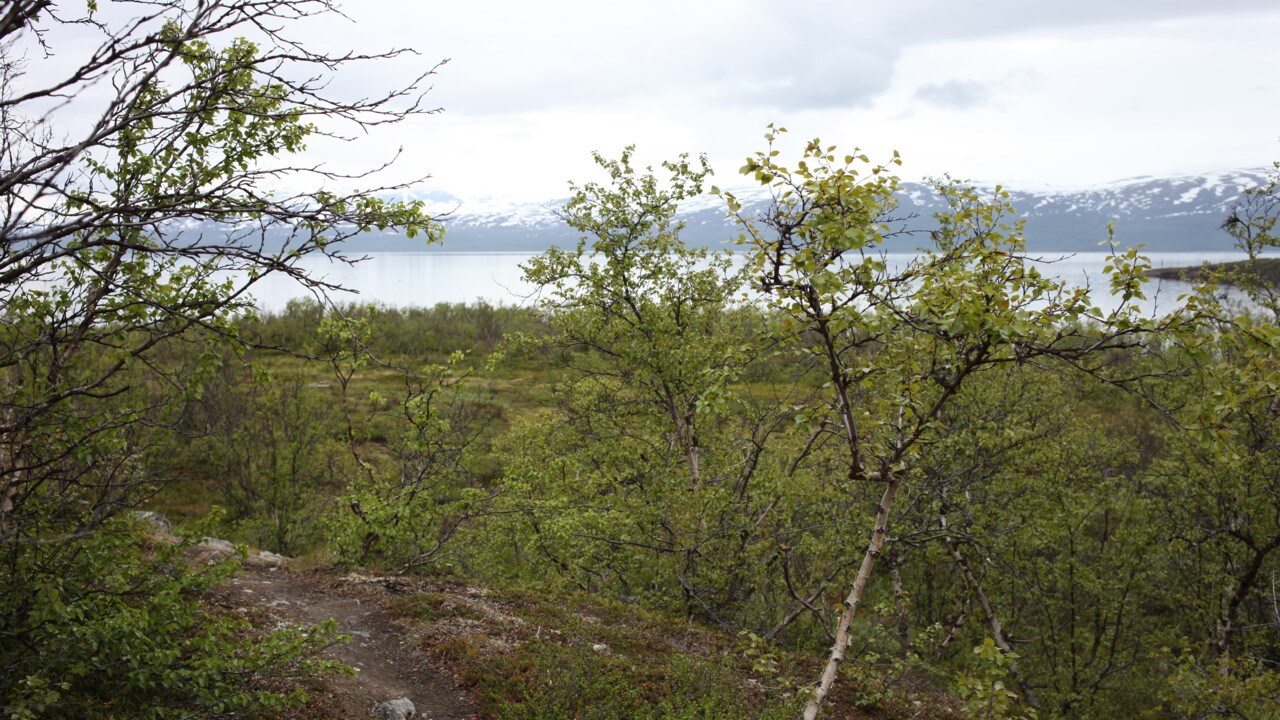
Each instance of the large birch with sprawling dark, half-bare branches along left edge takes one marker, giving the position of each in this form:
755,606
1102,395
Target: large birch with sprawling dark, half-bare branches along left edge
143,183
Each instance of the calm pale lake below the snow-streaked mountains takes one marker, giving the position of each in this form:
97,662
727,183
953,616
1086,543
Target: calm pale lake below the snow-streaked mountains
406,280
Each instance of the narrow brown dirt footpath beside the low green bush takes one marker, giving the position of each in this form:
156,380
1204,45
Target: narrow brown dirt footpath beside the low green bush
387,664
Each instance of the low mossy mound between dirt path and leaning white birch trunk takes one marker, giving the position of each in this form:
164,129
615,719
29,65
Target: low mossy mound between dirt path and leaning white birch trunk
548,654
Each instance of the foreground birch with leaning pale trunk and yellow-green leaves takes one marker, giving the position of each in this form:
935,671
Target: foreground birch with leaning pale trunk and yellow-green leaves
899,339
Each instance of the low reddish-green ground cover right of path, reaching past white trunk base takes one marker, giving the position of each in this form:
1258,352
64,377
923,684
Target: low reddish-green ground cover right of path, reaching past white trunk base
540,653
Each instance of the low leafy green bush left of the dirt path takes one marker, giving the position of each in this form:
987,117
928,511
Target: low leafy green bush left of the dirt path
121,632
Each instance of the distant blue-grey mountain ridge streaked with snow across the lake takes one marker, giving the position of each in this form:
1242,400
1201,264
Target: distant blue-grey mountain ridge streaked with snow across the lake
1165,215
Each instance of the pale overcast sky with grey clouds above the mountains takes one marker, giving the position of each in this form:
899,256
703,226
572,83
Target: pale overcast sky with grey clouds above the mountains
1031,94
